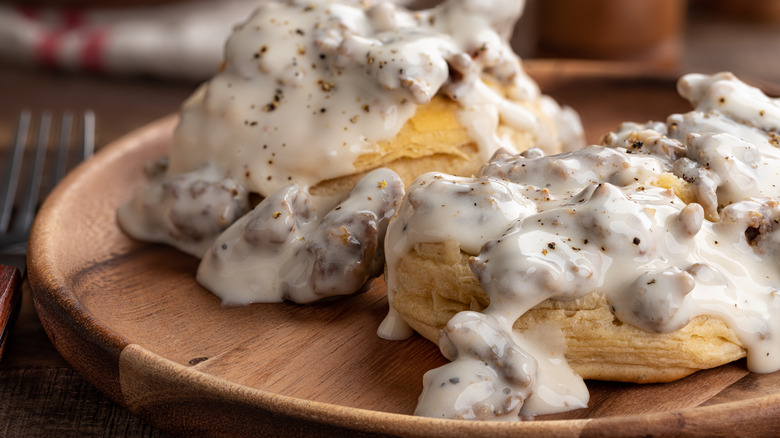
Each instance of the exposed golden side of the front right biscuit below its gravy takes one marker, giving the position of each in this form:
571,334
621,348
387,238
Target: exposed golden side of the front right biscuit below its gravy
434,282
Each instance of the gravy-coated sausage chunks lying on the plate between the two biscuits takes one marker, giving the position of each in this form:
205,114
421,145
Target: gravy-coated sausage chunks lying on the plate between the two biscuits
282,250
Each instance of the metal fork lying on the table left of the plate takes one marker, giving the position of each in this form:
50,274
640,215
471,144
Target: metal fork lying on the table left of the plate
27,180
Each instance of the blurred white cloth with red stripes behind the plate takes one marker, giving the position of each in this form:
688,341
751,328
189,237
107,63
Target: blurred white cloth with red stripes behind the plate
184,39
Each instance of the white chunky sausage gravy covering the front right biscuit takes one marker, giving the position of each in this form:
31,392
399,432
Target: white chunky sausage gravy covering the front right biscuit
606,218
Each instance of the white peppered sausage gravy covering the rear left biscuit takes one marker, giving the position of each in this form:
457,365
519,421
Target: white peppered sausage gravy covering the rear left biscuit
308,86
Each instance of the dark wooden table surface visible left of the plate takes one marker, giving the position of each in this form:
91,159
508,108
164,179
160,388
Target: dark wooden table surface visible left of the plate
39,393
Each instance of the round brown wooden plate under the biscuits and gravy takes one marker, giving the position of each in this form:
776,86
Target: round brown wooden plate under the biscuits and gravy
130,317
